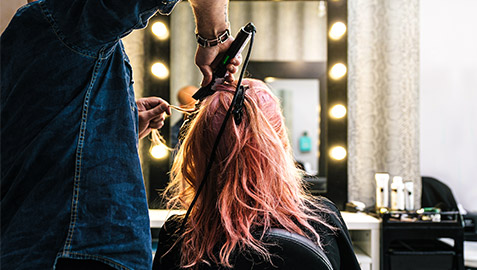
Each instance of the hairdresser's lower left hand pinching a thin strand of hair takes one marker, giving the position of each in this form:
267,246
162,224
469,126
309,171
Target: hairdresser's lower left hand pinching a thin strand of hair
151,114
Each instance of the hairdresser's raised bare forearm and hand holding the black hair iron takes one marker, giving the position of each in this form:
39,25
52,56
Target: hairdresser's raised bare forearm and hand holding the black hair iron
212,19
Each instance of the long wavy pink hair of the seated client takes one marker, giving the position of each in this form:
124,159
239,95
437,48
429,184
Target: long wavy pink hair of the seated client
253,184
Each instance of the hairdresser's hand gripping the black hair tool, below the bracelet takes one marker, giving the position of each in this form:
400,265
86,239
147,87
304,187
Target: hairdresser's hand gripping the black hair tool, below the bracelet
207,59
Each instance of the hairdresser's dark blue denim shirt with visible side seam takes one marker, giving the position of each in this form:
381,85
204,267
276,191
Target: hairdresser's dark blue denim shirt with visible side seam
71,181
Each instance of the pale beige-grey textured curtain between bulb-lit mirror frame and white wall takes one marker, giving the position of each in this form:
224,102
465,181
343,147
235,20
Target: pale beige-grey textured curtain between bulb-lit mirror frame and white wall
383,95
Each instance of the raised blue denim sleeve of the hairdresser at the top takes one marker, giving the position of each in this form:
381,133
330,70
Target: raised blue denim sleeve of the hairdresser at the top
91,25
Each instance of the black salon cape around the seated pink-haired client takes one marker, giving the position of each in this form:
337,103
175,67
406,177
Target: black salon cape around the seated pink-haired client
337,245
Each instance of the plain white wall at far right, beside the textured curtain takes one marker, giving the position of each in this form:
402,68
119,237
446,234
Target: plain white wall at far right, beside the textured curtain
449,96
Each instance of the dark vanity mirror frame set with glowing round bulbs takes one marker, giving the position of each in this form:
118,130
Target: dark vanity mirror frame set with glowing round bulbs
334,131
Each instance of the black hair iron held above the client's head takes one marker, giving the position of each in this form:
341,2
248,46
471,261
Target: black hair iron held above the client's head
220,71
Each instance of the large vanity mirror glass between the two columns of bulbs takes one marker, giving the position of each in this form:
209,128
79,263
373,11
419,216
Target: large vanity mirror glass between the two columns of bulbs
290,45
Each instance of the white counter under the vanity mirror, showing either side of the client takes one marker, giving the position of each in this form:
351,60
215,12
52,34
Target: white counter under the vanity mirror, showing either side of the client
364,231
